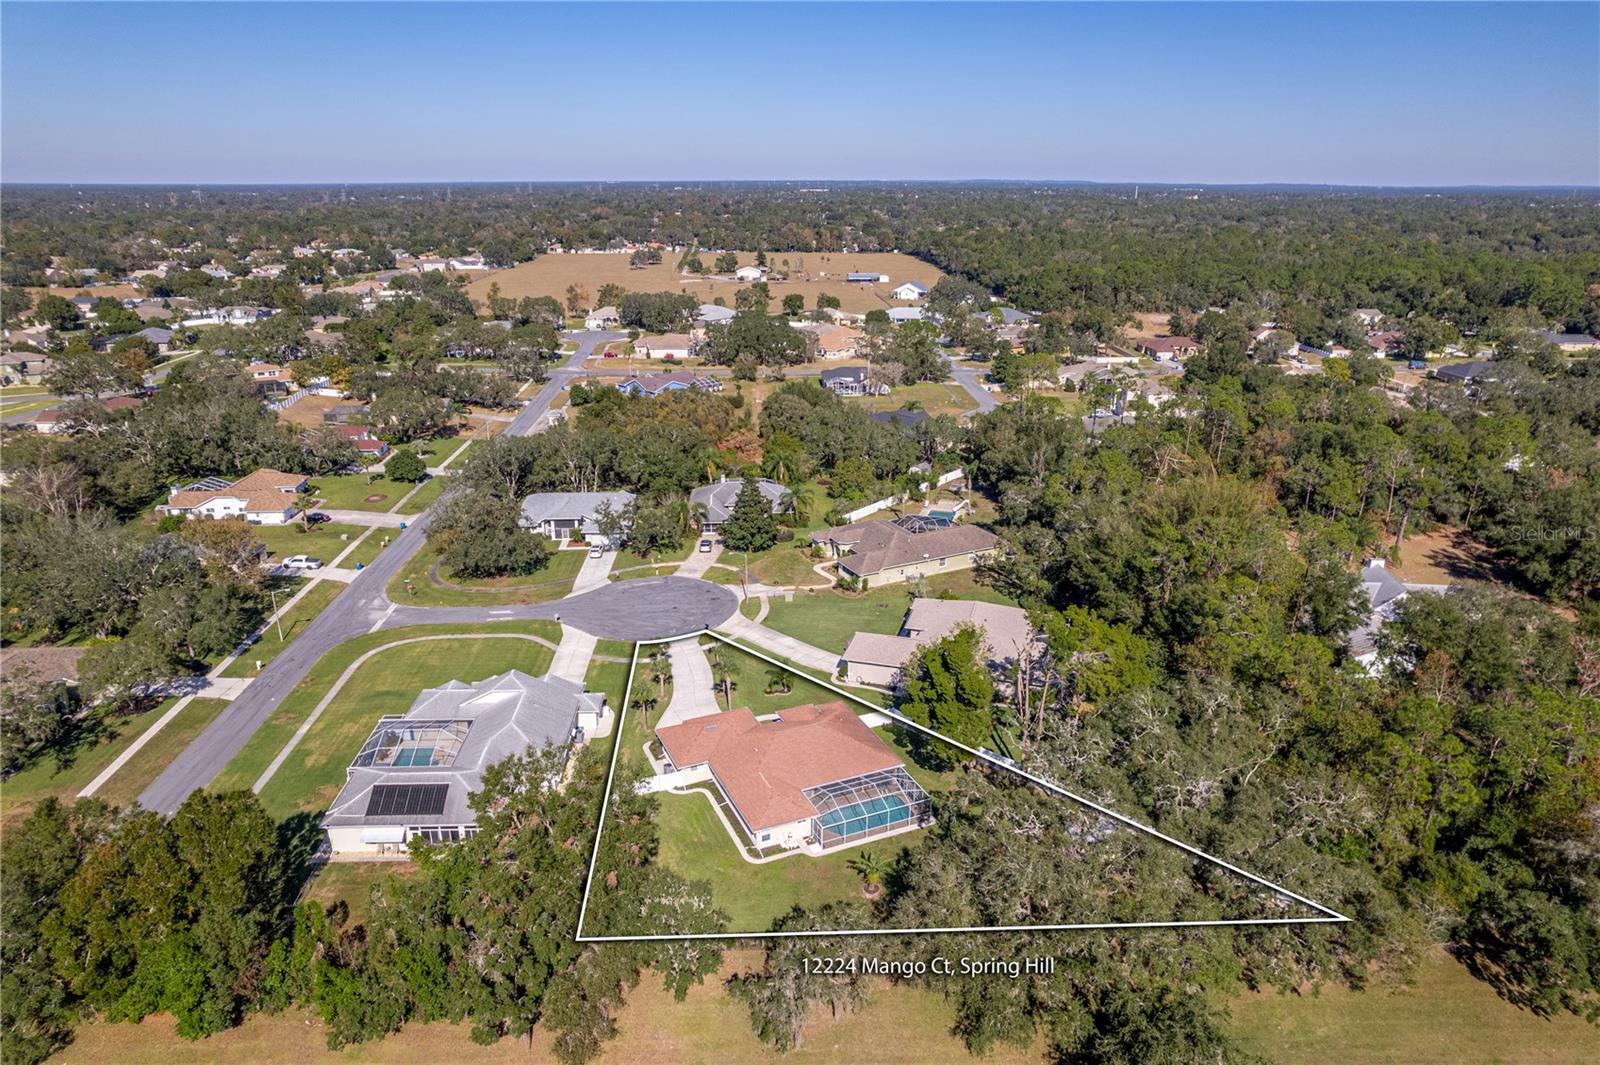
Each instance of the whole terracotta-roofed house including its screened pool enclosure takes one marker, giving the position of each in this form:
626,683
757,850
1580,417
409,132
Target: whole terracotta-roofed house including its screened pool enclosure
814,776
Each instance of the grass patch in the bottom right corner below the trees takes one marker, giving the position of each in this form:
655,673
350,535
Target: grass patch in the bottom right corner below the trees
1447,1016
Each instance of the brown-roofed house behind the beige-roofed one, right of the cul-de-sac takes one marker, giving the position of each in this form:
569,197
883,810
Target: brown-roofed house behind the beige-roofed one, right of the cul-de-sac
894,552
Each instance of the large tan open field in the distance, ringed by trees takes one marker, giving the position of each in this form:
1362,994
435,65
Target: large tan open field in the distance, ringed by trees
810,274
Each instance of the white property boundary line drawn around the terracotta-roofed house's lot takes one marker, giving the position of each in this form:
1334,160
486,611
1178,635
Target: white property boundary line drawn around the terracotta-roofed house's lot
1330,917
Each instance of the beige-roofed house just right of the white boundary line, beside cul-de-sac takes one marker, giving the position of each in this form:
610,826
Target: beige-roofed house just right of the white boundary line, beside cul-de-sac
878,660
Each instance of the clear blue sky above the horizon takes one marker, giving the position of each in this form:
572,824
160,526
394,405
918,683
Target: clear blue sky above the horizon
1436,95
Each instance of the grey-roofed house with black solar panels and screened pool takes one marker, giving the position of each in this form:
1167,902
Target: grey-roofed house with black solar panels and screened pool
415,775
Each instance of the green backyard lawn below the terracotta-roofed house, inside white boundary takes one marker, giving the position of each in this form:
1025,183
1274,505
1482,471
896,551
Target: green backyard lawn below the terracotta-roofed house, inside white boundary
697,847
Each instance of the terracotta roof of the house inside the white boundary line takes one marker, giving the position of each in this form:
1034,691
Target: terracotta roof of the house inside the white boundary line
766,767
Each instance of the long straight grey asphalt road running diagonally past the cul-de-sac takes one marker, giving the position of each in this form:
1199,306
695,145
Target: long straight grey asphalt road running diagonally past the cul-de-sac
361,608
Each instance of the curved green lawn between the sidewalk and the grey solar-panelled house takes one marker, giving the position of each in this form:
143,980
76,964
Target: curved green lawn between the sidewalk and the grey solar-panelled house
386,684
